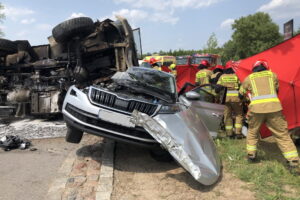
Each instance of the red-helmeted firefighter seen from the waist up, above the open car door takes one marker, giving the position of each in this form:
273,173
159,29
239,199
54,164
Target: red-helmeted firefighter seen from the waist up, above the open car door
203,76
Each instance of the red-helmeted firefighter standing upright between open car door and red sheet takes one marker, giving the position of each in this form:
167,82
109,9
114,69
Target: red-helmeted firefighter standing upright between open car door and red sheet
233,103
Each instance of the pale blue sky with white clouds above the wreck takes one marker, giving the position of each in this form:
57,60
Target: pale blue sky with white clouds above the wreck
165,24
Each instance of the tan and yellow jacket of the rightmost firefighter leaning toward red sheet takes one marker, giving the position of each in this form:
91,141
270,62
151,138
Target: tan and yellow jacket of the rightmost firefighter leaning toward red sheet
263,88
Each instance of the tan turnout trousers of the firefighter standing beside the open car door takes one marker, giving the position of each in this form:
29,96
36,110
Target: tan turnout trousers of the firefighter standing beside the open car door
230,108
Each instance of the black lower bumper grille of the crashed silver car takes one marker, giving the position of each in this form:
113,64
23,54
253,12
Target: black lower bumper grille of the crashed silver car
92,119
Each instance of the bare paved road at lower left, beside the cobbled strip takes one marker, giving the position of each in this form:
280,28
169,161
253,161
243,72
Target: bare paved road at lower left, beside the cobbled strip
27,174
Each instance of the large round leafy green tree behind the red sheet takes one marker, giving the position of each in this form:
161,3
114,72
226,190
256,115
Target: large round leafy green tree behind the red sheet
252,34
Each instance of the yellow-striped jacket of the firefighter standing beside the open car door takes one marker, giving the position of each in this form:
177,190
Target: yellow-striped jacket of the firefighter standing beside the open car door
232,83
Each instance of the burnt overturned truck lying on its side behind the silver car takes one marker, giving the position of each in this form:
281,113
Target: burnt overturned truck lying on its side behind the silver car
34,79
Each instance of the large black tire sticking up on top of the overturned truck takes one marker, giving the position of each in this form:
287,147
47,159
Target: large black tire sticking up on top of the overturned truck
65,31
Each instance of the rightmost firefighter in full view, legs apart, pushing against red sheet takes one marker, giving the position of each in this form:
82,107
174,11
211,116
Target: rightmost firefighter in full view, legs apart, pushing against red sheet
265,107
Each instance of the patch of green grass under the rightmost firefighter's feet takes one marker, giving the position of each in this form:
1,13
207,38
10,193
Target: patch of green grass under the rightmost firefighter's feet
269,178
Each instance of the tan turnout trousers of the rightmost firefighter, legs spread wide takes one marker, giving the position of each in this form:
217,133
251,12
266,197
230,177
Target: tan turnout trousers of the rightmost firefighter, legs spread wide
277,124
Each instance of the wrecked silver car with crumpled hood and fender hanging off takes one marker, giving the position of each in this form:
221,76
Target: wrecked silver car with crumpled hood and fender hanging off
141,106
